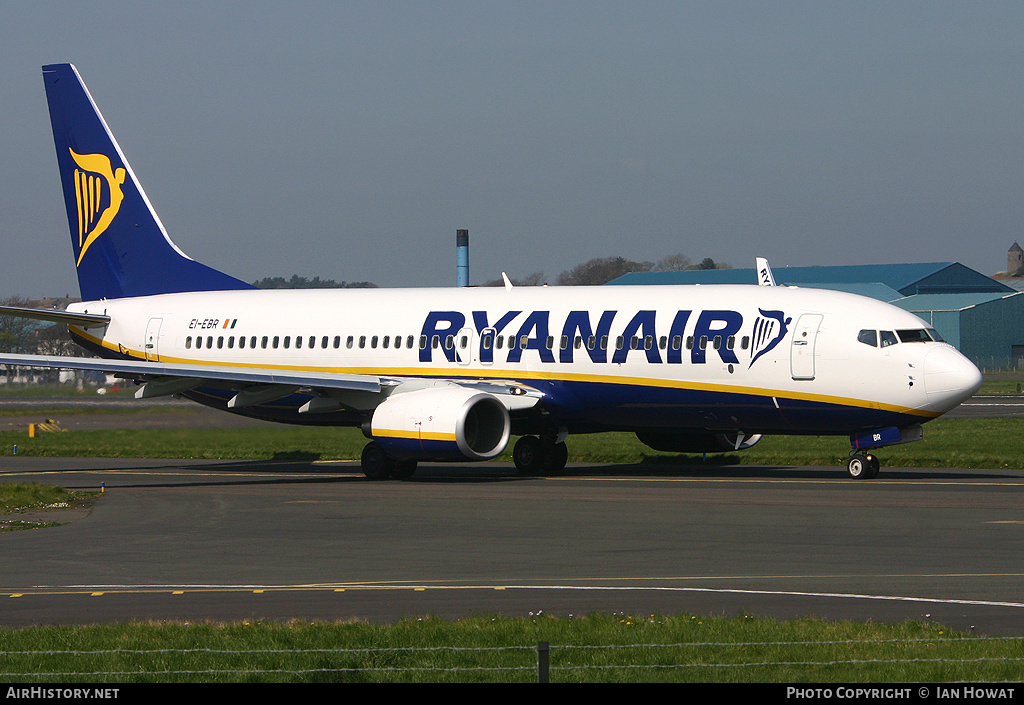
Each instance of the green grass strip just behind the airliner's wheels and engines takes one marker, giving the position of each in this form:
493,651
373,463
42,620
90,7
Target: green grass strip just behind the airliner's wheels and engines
985,443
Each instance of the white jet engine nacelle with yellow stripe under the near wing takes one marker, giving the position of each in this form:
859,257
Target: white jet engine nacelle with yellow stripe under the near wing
442,424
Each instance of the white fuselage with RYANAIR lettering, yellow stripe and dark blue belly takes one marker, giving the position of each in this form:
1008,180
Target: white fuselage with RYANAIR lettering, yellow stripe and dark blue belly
766,360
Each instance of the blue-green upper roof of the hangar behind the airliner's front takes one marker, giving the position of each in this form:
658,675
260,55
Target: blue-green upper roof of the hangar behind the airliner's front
909,280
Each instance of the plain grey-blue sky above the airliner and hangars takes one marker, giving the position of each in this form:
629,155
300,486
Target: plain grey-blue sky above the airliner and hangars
350,141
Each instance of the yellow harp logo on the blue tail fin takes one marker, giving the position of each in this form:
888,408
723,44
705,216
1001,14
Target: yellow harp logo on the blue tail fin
98,191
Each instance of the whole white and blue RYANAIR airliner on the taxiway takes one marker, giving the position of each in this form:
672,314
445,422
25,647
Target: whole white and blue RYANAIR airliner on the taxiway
451,375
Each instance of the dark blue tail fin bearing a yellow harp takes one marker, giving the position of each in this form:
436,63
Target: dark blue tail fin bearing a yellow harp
121,247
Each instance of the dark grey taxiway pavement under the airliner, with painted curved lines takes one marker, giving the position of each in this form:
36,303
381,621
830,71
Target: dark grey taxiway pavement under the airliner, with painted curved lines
230,541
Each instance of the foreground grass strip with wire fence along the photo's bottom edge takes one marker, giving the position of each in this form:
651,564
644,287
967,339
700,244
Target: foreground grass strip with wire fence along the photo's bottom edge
492,649
